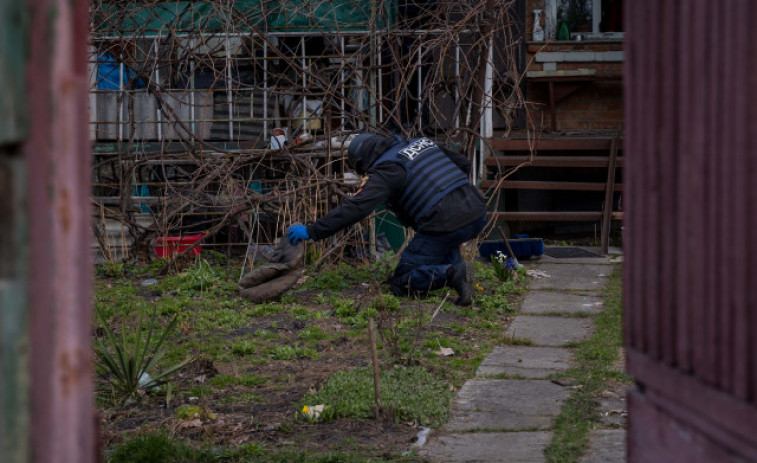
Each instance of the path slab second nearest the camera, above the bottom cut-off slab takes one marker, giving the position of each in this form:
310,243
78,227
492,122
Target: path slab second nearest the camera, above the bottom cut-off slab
502,404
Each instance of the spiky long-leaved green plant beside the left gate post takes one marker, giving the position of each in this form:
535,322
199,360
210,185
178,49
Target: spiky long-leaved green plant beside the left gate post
125,364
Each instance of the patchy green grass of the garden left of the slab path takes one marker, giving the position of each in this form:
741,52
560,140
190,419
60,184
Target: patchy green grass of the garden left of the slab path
309,325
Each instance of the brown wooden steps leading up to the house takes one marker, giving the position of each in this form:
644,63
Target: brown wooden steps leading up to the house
558,153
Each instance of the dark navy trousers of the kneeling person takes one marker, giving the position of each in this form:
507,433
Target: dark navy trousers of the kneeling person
424,262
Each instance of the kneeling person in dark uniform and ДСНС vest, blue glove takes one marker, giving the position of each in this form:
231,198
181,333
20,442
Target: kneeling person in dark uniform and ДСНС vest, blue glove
427,188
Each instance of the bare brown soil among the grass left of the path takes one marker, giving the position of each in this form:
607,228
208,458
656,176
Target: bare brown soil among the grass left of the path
265,413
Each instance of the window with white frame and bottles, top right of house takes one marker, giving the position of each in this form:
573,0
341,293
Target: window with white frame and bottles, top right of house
594,19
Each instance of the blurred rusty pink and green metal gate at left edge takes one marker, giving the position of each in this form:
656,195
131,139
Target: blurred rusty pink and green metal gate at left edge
46,397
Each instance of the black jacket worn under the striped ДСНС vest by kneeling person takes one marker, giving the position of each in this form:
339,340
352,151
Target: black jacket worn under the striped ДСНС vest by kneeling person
385,185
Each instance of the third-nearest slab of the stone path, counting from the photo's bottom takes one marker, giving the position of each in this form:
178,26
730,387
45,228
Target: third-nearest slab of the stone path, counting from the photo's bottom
529,362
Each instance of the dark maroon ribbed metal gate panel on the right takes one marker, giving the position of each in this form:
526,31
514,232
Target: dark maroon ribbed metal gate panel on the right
690,276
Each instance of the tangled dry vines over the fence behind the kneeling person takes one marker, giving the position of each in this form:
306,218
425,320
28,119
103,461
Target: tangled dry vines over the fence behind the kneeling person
230,117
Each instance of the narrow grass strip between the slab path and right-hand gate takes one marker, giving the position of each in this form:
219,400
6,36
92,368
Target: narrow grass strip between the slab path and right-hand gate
591,372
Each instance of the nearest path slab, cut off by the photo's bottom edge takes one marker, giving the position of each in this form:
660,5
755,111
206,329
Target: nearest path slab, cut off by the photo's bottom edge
525,447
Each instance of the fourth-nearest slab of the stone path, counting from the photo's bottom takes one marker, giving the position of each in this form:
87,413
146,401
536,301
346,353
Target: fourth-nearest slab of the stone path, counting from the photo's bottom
550,331
